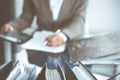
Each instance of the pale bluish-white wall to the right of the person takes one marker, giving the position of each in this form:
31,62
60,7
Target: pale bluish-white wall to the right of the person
103,16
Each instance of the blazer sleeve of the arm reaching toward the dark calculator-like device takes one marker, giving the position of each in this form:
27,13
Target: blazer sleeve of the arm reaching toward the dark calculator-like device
25,18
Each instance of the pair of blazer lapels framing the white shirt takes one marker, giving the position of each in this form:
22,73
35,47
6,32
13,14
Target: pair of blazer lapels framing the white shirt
64,9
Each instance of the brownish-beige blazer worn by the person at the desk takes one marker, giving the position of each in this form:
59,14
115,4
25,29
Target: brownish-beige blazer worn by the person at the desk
71,18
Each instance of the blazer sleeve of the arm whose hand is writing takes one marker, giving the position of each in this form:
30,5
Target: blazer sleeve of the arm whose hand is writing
75,27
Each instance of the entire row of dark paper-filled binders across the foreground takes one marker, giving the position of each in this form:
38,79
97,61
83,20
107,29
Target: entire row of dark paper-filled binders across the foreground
32,72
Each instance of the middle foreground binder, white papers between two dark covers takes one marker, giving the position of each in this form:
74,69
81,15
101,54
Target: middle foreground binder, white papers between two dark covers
48,74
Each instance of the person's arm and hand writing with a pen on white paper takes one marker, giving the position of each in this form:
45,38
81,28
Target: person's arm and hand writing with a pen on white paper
73,28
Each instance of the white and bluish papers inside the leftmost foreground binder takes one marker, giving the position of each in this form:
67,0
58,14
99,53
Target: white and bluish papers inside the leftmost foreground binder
22,72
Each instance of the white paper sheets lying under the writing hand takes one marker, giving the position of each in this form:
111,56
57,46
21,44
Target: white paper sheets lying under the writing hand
37,43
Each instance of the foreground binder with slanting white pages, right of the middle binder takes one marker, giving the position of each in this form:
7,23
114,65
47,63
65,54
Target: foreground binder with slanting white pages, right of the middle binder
78,73
